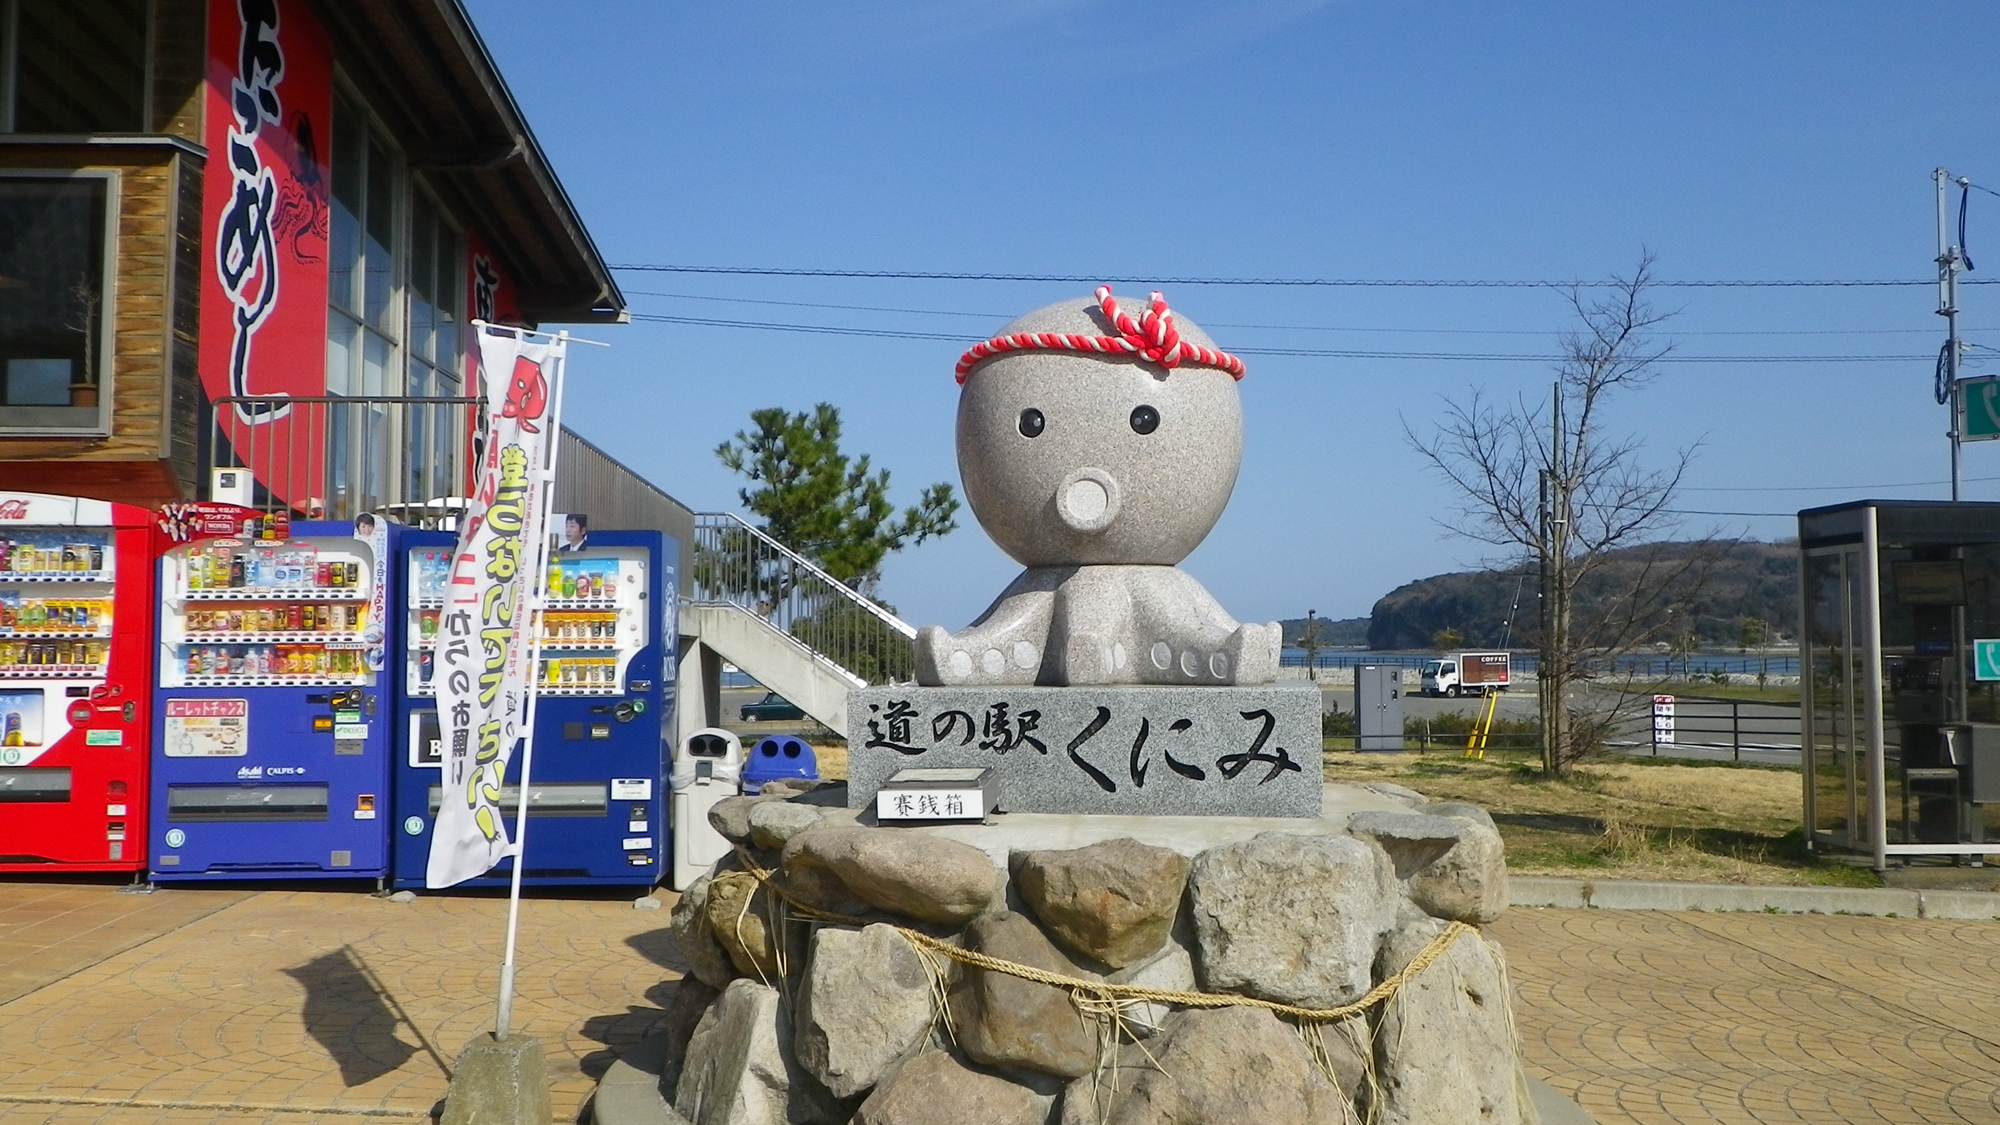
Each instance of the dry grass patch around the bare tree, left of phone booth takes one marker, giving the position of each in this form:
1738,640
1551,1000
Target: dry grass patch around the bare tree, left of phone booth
1625,820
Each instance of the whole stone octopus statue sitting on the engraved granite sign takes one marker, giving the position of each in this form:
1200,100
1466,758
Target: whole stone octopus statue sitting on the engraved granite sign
1099,451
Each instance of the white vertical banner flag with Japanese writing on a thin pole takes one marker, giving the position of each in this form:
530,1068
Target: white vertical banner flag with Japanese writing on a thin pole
485,630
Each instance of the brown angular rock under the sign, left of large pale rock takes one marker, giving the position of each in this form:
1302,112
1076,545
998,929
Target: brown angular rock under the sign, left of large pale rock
1113,902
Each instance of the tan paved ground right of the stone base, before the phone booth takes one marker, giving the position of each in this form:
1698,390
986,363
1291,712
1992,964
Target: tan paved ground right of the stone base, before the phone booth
1677,1018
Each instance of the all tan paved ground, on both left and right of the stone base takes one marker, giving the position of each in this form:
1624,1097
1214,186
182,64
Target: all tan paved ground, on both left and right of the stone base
333,1008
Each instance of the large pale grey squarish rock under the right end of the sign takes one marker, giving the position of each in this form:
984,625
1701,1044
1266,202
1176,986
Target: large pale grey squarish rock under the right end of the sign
1291,918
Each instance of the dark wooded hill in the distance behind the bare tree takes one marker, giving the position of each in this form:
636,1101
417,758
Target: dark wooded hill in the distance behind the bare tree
1755,582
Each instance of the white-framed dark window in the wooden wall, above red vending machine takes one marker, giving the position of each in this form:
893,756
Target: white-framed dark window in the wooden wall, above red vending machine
57,251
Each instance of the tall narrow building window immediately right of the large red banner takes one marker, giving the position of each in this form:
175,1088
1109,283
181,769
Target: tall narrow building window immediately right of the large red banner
365,313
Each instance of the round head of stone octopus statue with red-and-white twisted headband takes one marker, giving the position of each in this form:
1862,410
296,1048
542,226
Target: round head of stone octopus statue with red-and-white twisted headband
1081,447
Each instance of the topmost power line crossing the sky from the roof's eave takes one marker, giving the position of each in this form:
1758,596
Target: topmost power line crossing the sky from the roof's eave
1283,283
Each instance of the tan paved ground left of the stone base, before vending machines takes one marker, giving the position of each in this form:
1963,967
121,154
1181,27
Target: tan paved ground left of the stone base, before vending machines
313,1008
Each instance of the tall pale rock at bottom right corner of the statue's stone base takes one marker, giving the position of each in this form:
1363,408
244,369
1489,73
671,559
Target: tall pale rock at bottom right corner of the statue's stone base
1445,1050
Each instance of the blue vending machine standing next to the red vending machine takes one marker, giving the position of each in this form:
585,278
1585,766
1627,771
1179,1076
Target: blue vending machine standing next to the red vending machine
273,704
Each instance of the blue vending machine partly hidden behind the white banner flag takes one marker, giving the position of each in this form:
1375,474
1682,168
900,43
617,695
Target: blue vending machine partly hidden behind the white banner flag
603,732
